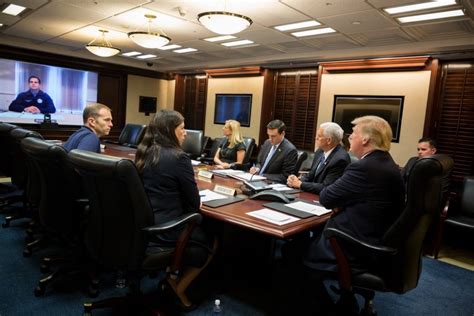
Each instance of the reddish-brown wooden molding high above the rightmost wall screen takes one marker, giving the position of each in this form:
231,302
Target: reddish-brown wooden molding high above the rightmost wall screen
382,64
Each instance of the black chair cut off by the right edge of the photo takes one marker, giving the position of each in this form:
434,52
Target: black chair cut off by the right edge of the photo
460,217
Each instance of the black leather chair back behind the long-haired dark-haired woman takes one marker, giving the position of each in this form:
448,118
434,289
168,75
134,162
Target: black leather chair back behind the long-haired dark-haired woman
119,209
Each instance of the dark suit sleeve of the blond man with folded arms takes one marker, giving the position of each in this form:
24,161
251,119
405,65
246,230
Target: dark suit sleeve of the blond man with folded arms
347,189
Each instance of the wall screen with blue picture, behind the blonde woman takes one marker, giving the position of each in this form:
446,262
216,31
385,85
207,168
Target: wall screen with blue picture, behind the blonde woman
233,107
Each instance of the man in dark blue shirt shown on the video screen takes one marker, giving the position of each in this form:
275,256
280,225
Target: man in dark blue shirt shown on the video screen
34,100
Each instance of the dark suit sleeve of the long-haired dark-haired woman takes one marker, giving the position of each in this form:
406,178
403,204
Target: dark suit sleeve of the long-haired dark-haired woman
188,184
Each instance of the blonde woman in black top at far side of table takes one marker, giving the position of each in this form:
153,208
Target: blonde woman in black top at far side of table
232,149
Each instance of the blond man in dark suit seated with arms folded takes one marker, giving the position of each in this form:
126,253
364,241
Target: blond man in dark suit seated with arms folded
366,200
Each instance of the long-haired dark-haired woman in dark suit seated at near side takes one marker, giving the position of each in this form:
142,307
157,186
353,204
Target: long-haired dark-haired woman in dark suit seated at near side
168,178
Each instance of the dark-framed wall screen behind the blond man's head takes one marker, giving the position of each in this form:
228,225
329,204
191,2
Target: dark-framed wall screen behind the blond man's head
348,107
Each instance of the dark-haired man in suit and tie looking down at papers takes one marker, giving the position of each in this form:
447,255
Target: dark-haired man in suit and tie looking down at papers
277,158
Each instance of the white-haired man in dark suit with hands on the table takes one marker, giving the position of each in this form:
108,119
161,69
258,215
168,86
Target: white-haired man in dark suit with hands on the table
329,161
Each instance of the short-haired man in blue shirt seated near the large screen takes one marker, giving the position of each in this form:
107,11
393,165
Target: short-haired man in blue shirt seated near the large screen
97,119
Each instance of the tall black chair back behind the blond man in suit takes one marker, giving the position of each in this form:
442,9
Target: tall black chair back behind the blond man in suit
424,199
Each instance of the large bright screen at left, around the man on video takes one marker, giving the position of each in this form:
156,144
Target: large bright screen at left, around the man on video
69,89
